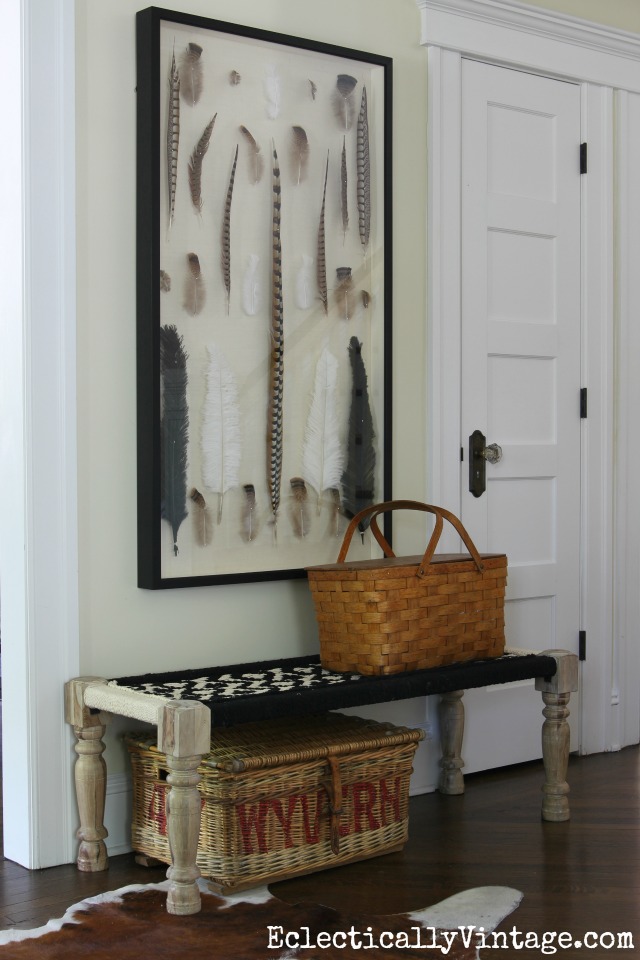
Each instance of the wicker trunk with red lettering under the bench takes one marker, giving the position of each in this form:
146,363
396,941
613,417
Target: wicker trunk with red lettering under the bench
284,798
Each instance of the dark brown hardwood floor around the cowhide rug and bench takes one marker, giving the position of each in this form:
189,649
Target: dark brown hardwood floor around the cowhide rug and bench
580,876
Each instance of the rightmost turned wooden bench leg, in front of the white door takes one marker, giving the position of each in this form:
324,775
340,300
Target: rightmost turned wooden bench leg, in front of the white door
556,692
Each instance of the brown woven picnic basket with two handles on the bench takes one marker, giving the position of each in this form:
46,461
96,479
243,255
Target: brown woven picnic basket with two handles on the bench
409,613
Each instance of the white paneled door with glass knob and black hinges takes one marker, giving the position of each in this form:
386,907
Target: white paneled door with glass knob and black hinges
521,363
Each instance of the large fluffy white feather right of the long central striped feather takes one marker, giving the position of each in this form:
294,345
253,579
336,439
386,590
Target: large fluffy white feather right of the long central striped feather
323,454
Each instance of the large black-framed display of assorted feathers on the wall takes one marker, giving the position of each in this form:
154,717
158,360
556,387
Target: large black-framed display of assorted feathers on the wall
263,299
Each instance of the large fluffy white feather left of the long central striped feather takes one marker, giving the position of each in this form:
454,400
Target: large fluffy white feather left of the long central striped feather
220,442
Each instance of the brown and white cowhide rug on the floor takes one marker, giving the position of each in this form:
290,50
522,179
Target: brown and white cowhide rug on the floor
132,924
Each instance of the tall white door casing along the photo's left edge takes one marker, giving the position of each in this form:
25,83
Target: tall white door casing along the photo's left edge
38,467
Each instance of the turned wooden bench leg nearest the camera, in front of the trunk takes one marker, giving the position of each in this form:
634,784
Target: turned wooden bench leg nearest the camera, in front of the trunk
184,735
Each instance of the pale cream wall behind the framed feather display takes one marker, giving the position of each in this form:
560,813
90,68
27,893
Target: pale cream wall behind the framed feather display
124,629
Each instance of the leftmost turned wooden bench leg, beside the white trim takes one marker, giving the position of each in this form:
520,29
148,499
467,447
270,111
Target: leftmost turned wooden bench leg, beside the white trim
90,775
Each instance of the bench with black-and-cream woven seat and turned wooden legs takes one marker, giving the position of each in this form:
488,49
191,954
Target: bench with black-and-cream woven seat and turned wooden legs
188,706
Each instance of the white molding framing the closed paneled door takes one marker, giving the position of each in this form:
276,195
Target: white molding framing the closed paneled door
599,60
